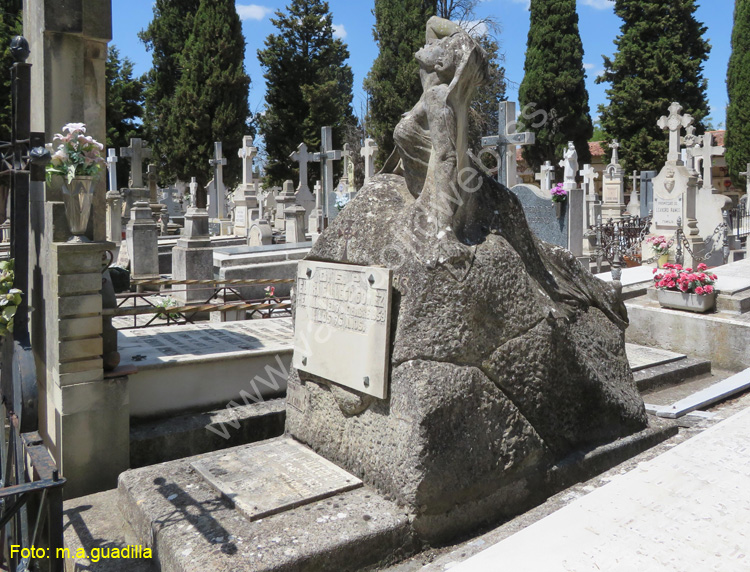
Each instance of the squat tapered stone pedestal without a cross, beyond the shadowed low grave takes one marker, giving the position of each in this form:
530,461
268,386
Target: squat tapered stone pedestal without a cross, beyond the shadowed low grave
192,257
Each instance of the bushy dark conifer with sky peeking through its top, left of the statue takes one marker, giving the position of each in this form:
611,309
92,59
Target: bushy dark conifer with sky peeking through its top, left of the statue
308,85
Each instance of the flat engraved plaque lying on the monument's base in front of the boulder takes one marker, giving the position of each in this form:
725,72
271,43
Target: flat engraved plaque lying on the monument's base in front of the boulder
273,476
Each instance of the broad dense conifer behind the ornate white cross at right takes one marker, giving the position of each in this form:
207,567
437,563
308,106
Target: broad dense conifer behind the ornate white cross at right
660,55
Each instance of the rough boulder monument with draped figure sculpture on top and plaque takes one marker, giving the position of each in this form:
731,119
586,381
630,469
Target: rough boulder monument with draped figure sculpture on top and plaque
443,354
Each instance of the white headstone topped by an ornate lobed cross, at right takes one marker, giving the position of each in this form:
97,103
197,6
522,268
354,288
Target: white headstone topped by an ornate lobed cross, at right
676,188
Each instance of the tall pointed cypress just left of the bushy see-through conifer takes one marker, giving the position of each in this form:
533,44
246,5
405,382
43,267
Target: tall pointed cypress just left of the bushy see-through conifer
211,96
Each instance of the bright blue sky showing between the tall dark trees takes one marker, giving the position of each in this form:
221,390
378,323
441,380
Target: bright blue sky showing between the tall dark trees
354,21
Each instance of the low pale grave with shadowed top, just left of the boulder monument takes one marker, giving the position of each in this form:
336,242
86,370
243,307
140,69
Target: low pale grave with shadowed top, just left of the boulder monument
205,365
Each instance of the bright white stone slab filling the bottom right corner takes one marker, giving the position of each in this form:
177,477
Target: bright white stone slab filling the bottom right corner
683,511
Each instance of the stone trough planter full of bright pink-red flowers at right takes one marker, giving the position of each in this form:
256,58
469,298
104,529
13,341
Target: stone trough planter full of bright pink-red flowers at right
683,289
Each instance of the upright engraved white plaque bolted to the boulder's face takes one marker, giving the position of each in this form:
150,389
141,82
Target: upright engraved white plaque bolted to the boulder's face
342,332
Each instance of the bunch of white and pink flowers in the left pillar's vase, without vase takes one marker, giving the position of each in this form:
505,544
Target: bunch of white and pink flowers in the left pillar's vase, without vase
77,155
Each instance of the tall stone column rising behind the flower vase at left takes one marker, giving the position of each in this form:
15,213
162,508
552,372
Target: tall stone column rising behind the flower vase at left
68,42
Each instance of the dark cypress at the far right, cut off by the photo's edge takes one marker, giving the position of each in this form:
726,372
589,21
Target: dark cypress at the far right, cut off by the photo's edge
738,87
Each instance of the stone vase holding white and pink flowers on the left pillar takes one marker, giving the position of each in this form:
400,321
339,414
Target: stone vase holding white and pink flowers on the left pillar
78,161
